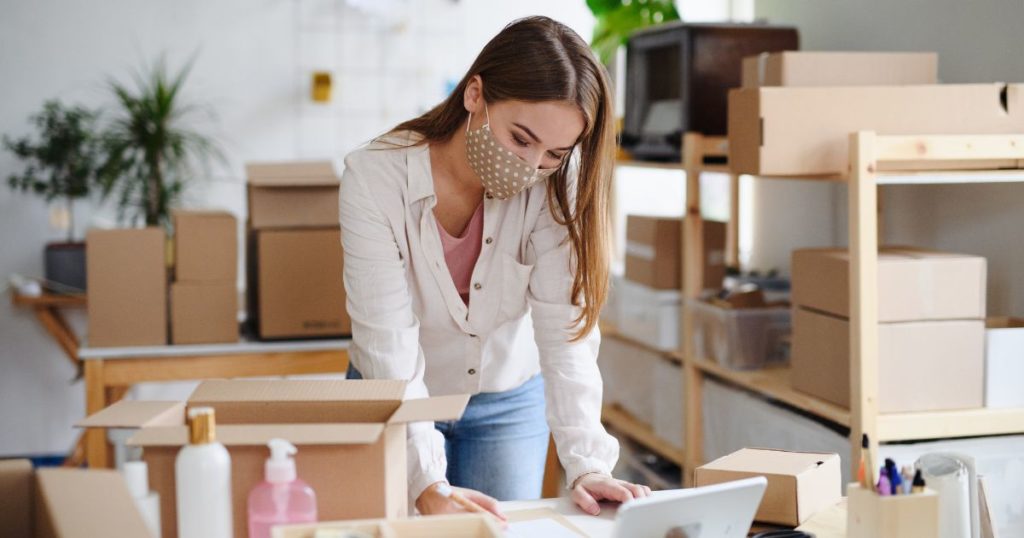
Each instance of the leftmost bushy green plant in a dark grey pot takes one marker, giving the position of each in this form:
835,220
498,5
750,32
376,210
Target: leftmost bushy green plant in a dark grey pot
61,164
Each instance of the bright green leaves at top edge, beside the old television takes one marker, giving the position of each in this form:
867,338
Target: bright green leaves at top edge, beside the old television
617,20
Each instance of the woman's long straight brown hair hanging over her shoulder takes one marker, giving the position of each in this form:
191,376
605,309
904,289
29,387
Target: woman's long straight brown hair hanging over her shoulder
536,60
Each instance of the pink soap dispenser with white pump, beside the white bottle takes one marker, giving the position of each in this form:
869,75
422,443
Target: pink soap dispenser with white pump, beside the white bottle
282,498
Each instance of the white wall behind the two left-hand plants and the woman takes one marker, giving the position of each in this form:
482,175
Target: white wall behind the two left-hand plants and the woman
254,63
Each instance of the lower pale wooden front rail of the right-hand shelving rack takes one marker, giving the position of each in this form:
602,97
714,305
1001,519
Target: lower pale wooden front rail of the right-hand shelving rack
944,425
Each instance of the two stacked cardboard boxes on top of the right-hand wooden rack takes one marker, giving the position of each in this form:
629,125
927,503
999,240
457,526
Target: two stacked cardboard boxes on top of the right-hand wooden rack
802,126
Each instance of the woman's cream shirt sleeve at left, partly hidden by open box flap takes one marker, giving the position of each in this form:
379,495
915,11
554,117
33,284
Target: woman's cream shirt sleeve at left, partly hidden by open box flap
386,330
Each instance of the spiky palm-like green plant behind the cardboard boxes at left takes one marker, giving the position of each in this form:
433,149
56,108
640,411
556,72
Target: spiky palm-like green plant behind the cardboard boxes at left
151,153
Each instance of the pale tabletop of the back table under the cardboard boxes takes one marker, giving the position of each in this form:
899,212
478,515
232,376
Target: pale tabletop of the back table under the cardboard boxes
242,347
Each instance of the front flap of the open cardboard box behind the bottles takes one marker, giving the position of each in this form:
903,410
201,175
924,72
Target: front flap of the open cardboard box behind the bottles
260,435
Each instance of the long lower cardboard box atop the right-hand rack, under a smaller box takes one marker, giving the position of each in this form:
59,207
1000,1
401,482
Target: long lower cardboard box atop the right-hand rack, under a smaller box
806,132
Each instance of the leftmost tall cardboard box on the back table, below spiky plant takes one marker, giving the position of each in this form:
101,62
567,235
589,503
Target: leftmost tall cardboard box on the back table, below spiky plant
127,275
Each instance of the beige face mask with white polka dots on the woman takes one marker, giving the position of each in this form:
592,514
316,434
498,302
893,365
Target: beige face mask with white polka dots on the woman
502,173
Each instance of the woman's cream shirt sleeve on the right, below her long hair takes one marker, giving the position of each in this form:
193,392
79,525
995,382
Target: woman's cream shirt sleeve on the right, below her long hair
573,382
